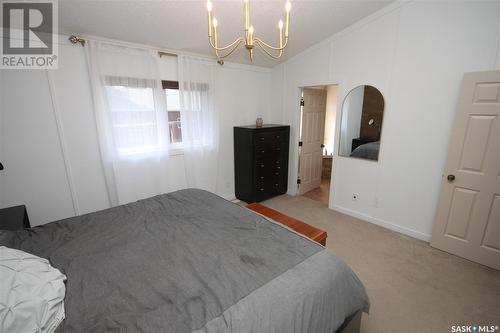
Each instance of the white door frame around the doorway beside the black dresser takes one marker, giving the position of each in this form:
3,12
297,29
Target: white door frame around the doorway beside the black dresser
295,138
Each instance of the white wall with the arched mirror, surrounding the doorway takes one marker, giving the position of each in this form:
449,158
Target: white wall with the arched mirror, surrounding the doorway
415,53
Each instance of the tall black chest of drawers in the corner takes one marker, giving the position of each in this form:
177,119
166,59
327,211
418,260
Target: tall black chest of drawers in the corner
260,161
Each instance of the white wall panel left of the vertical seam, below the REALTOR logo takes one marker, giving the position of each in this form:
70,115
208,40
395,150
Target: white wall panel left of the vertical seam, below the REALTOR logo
34,168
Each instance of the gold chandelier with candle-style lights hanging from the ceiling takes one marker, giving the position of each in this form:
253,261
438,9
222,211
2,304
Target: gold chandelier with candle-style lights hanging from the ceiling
250,39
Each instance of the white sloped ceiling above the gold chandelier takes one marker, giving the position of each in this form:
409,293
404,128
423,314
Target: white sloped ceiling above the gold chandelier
182,25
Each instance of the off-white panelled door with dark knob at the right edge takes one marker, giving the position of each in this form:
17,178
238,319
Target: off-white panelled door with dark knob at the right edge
468,216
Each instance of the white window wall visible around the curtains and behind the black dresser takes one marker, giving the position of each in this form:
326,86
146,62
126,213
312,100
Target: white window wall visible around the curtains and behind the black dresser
54,167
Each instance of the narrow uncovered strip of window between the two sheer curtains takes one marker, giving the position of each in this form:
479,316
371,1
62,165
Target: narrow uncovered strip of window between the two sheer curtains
171,89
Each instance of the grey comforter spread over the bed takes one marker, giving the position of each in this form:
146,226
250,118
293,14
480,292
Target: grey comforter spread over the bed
190,261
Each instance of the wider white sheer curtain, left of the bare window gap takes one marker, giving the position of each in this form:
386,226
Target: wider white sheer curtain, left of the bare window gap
132,124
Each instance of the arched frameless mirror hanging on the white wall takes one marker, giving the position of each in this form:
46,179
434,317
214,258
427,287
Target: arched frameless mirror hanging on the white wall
361,123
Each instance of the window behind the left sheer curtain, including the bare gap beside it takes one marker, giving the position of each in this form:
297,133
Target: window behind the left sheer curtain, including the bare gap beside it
144,119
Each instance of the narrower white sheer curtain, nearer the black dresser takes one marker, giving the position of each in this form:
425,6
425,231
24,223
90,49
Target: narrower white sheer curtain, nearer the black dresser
199,117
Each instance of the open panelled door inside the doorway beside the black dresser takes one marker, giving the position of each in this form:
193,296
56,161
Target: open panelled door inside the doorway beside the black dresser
313,131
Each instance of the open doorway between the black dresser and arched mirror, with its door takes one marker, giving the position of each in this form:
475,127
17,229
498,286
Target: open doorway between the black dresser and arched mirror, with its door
318,109
